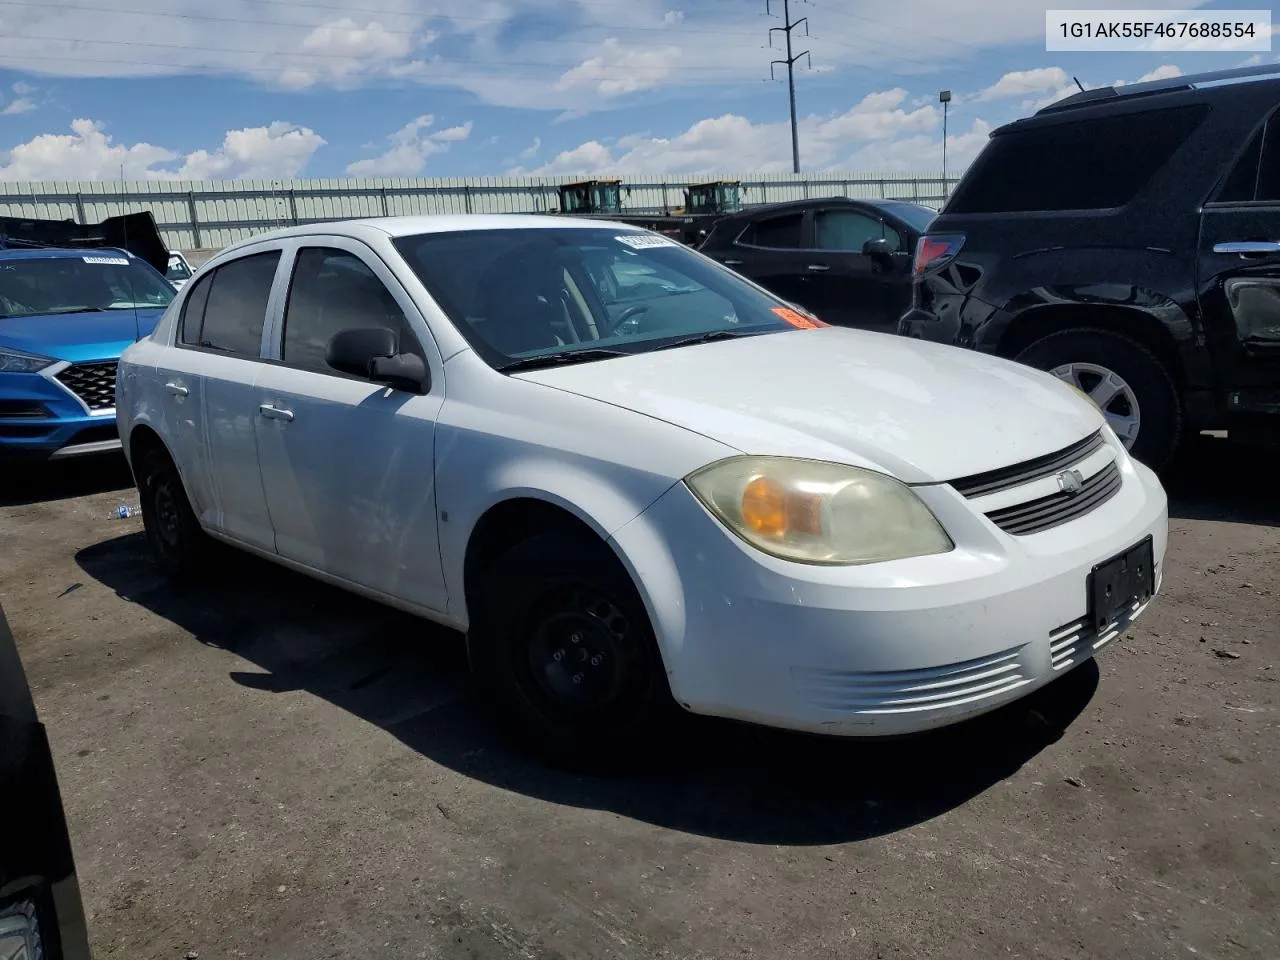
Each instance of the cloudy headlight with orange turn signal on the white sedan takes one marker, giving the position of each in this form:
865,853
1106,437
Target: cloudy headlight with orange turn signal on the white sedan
816,513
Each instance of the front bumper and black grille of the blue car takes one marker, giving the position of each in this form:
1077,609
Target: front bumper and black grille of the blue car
43,417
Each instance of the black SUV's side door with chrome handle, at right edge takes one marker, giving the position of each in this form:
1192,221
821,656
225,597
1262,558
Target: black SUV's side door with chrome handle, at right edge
1240,273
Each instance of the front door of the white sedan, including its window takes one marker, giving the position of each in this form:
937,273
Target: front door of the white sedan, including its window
350,465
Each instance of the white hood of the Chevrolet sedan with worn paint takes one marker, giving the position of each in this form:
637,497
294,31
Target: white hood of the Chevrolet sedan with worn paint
922,412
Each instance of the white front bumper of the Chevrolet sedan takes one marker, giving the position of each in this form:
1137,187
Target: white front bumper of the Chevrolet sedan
889,648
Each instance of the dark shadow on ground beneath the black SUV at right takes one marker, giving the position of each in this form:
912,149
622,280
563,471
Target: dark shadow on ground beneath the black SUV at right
1218,479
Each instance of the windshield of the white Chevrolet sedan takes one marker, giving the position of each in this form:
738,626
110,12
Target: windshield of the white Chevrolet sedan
554,294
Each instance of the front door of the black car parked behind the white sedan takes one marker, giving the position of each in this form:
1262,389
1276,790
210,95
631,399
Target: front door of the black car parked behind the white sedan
851,287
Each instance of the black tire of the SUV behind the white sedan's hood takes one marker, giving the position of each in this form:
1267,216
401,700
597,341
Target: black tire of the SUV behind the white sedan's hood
1159,404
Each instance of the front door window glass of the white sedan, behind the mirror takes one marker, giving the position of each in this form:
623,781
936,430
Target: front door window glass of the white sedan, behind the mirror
335,291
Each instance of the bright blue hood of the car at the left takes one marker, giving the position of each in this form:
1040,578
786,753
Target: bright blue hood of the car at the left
77,337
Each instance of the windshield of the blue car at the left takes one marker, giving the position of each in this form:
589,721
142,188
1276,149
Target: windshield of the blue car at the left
71,285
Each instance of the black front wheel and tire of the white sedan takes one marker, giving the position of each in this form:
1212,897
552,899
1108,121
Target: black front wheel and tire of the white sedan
559,606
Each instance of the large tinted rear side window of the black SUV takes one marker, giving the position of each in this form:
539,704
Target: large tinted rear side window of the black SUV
1082,166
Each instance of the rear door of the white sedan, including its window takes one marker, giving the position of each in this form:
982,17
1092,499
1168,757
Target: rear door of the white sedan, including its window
208,385
